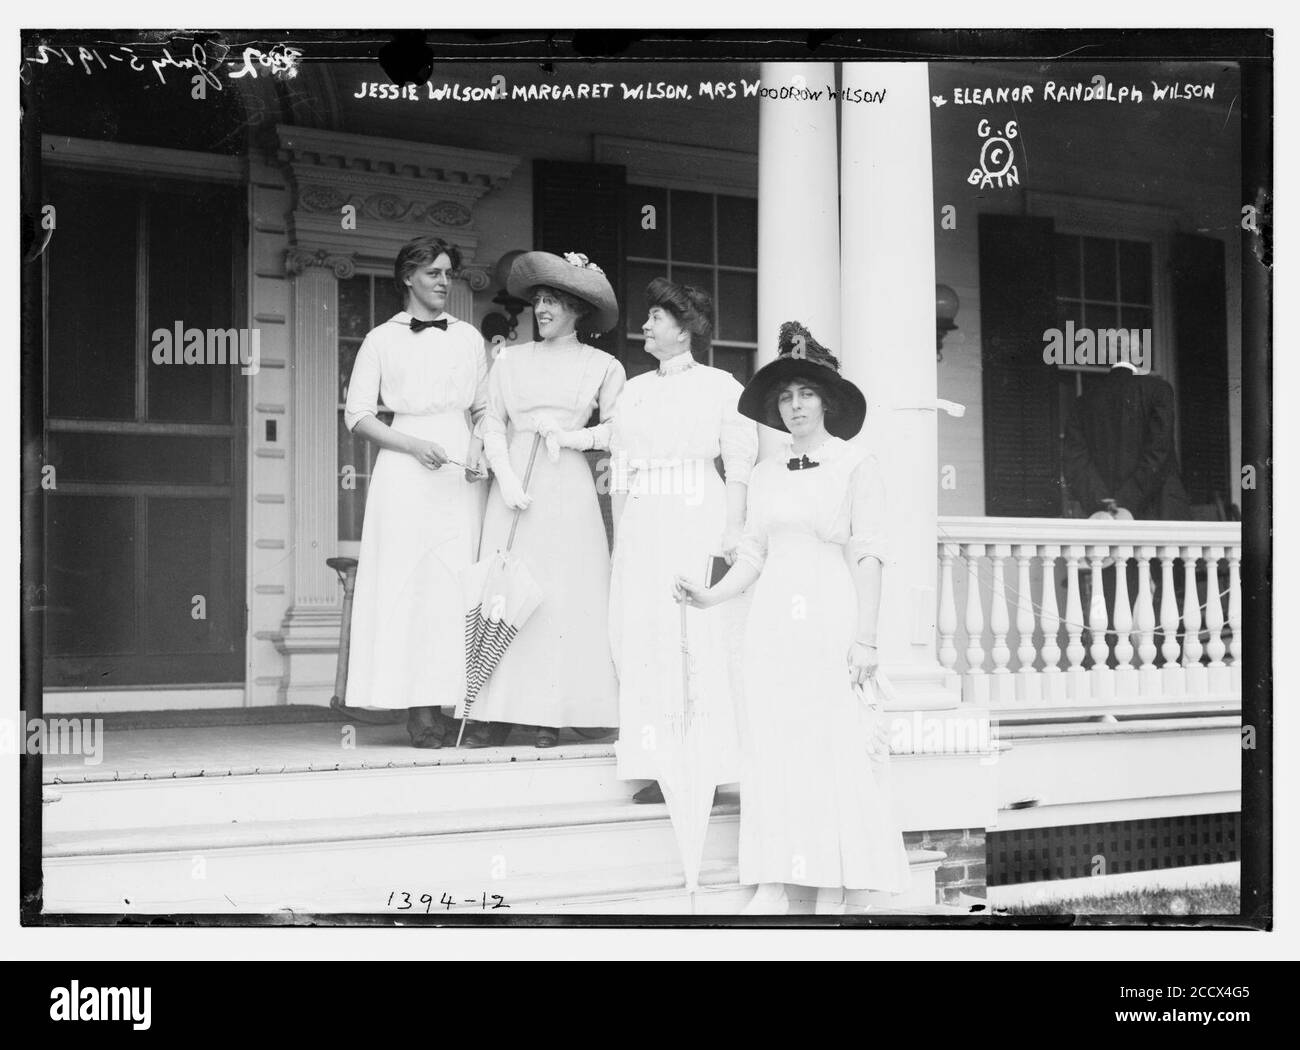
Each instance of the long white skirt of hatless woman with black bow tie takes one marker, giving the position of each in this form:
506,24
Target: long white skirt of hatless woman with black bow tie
421,532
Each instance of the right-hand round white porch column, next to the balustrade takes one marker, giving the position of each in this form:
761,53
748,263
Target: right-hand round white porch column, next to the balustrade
887,253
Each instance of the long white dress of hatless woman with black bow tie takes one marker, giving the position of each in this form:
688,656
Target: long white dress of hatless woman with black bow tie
422,526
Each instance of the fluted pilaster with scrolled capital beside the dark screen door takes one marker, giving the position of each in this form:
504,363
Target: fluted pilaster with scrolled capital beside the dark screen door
310,636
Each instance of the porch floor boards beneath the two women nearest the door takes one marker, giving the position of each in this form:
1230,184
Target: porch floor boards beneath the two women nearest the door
250,749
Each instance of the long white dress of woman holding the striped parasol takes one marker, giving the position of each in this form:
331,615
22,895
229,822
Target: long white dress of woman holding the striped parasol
557,671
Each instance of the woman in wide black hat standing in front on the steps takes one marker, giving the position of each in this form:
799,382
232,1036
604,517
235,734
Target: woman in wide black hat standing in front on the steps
814,812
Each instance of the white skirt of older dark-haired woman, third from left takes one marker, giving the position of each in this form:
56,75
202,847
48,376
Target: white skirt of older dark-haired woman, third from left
673,523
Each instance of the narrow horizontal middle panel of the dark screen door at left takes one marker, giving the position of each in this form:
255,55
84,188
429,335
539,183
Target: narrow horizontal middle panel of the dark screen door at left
140,459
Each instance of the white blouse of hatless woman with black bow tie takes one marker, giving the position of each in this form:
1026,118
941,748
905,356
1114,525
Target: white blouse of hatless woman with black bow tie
419,374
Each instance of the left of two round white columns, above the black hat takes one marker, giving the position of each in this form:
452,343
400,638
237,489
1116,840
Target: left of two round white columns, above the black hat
799,215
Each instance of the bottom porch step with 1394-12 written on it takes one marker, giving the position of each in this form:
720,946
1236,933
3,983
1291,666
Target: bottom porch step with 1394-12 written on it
606,858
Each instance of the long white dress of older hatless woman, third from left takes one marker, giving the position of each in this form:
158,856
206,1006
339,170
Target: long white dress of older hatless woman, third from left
670,429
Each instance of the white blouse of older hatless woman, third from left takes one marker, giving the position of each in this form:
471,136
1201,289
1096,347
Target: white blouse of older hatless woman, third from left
688,414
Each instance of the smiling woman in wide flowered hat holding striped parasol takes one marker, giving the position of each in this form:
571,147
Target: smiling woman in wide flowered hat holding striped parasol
558,671
